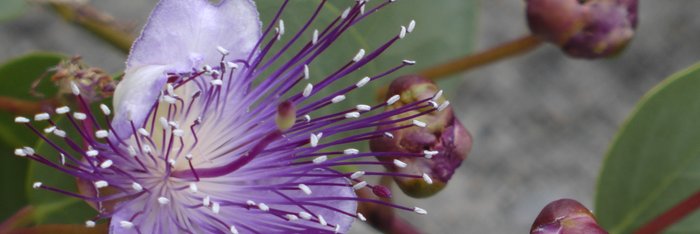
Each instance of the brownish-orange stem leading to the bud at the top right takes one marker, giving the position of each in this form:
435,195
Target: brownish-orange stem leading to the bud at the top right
508,49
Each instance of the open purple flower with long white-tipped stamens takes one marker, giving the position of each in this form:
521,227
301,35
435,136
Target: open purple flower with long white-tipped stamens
200,141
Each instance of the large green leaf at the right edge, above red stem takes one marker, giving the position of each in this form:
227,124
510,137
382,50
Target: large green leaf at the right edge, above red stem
654,161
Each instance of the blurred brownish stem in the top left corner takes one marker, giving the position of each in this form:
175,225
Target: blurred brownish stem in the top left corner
96,22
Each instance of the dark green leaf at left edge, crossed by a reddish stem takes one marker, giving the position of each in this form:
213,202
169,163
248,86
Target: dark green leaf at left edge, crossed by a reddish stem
16,77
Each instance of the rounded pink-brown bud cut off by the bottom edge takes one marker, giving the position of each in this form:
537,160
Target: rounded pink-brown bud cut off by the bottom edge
565,216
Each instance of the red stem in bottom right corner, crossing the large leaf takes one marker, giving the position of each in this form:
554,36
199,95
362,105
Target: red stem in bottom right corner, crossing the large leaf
671,216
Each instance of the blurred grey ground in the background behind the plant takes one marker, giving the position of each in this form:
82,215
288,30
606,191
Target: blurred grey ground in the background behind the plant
541,122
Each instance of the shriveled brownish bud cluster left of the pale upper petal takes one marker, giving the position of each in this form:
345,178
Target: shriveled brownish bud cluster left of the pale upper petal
93,82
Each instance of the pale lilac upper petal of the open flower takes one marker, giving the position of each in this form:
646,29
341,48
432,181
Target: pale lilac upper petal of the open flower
185,34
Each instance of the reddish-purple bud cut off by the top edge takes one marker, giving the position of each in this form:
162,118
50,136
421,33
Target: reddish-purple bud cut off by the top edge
584,28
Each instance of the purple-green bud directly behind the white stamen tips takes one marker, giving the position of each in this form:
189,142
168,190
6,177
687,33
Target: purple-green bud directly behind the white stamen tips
444,137
